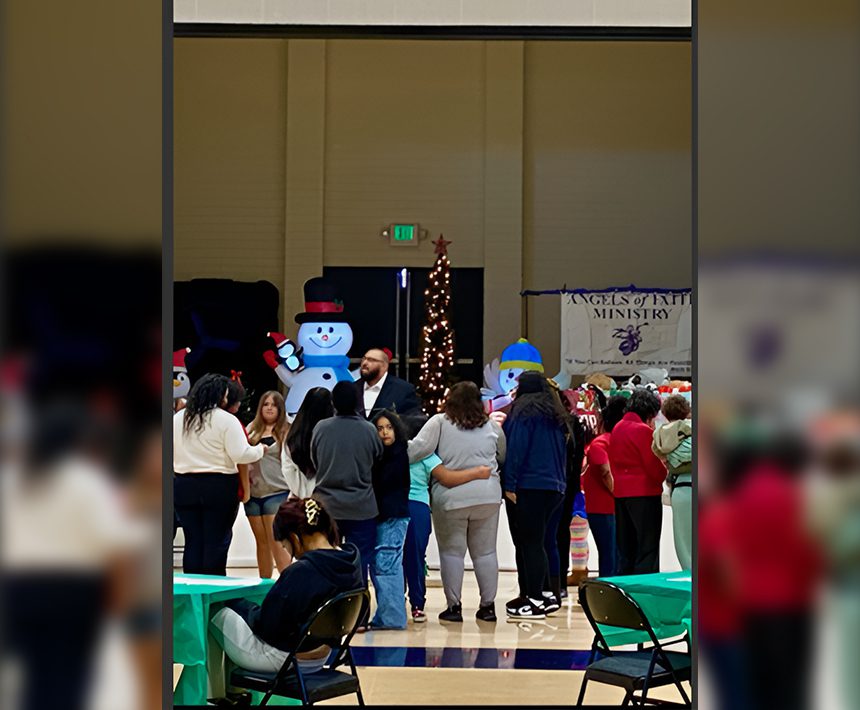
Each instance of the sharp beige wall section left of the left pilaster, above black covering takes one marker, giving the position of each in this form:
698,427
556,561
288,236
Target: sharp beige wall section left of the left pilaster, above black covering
229,146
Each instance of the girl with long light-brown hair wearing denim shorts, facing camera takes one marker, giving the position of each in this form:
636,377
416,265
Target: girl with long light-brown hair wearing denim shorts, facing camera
268,484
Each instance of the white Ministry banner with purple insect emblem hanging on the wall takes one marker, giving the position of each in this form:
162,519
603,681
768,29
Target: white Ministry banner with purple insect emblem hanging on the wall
620,332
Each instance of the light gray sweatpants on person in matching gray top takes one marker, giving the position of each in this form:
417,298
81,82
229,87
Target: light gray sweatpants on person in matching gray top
473,528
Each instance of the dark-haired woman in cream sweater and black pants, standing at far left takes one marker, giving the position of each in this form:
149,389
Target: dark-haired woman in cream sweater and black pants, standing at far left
208,444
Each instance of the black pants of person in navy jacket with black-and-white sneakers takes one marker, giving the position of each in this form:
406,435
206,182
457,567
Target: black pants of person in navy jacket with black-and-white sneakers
534,511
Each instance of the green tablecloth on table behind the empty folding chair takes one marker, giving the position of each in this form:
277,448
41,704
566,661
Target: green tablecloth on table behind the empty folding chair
665,597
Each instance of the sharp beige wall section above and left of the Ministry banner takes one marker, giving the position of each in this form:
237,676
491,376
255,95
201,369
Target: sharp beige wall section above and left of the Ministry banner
607,172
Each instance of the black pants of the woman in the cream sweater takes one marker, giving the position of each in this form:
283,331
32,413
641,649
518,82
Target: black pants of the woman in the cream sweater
207,505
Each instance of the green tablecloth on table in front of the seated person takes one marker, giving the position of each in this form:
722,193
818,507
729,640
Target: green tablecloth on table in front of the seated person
195,598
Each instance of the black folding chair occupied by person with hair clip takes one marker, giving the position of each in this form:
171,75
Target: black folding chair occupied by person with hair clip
334,623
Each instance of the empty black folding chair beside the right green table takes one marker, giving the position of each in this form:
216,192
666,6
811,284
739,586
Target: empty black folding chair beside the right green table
634,671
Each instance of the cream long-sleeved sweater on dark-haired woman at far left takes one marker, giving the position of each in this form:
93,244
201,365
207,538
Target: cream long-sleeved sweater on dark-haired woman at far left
221,444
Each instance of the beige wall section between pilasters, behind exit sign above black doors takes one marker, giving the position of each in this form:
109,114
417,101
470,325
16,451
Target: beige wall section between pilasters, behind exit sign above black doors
404,142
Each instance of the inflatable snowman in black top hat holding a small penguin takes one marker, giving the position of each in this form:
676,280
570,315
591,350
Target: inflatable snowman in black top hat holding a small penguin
320,359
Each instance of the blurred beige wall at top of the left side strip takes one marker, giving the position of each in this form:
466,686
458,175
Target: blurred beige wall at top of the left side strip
81,122
